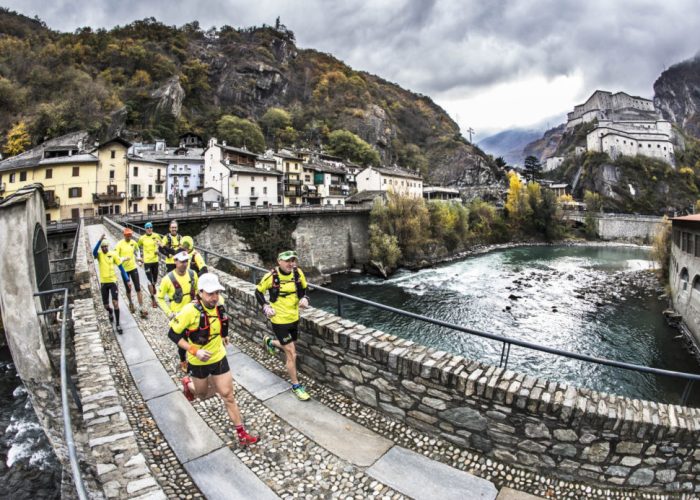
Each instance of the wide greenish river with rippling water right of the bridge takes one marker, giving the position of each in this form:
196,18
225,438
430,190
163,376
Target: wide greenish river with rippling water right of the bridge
597,300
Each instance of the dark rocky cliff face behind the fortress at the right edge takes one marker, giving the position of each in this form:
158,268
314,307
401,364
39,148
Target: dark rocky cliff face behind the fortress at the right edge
677,95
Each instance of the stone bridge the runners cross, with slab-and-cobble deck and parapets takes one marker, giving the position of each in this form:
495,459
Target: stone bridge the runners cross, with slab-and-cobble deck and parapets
388,418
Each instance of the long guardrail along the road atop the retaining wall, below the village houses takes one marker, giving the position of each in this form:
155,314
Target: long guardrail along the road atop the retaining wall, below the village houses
240,212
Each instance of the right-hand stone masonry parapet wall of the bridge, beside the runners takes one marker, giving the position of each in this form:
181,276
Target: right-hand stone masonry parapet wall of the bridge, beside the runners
552,428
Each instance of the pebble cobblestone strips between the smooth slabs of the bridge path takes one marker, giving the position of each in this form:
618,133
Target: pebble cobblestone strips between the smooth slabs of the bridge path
292,465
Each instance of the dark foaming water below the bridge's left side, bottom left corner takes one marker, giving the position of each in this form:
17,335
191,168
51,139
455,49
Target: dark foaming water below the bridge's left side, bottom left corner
29,468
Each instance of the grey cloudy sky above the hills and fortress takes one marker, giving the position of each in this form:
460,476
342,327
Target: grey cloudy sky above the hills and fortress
492,65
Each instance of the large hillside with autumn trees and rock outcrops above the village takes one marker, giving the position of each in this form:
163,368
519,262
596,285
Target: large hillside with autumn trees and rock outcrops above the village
147,80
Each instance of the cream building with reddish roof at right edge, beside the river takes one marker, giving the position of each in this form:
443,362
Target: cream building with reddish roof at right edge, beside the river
684,272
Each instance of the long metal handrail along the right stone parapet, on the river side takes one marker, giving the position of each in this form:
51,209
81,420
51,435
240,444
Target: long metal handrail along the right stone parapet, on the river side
507,342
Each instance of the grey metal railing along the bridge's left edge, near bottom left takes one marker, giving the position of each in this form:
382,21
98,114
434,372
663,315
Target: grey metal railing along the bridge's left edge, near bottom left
62,313
